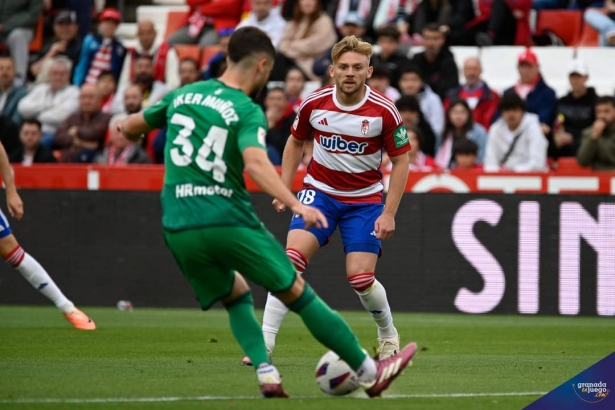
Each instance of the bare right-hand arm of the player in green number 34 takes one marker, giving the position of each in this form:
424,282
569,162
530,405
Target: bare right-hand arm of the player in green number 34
260,169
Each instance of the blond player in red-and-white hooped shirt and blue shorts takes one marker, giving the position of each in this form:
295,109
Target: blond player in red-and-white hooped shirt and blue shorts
351,124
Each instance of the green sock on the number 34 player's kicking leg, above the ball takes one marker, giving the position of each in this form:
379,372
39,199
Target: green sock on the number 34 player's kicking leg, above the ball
328,327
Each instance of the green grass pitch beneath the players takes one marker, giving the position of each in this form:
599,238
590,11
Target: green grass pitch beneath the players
187,359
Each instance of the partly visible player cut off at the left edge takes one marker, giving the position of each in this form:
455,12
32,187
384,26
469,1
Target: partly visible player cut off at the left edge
25,264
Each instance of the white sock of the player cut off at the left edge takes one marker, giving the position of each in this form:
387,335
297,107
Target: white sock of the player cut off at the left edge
34,273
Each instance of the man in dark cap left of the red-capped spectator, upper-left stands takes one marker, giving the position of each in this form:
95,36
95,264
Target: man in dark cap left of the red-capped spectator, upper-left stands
66,42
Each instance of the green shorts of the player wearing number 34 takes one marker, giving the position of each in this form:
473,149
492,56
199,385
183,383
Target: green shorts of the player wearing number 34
209,257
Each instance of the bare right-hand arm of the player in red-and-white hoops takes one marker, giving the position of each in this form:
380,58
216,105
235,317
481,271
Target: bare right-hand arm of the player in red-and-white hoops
385,224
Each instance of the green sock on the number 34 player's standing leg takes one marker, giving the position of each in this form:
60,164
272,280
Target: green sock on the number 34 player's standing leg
247,330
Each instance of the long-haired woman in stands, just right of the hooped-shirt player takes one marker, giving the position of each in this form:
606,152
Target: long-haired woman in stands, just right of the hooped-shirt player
460,125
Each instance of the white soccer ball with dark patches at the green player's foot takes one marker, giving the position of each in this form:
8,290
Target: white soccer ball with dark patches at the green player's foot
334,376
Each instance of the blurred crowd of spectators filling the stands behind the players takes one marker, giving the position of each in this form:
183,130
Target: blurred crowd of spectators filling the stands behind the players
59,104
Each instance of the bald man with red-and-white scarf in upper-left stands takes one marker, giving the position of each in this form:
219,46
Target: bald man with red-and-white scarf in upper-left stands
164,57
